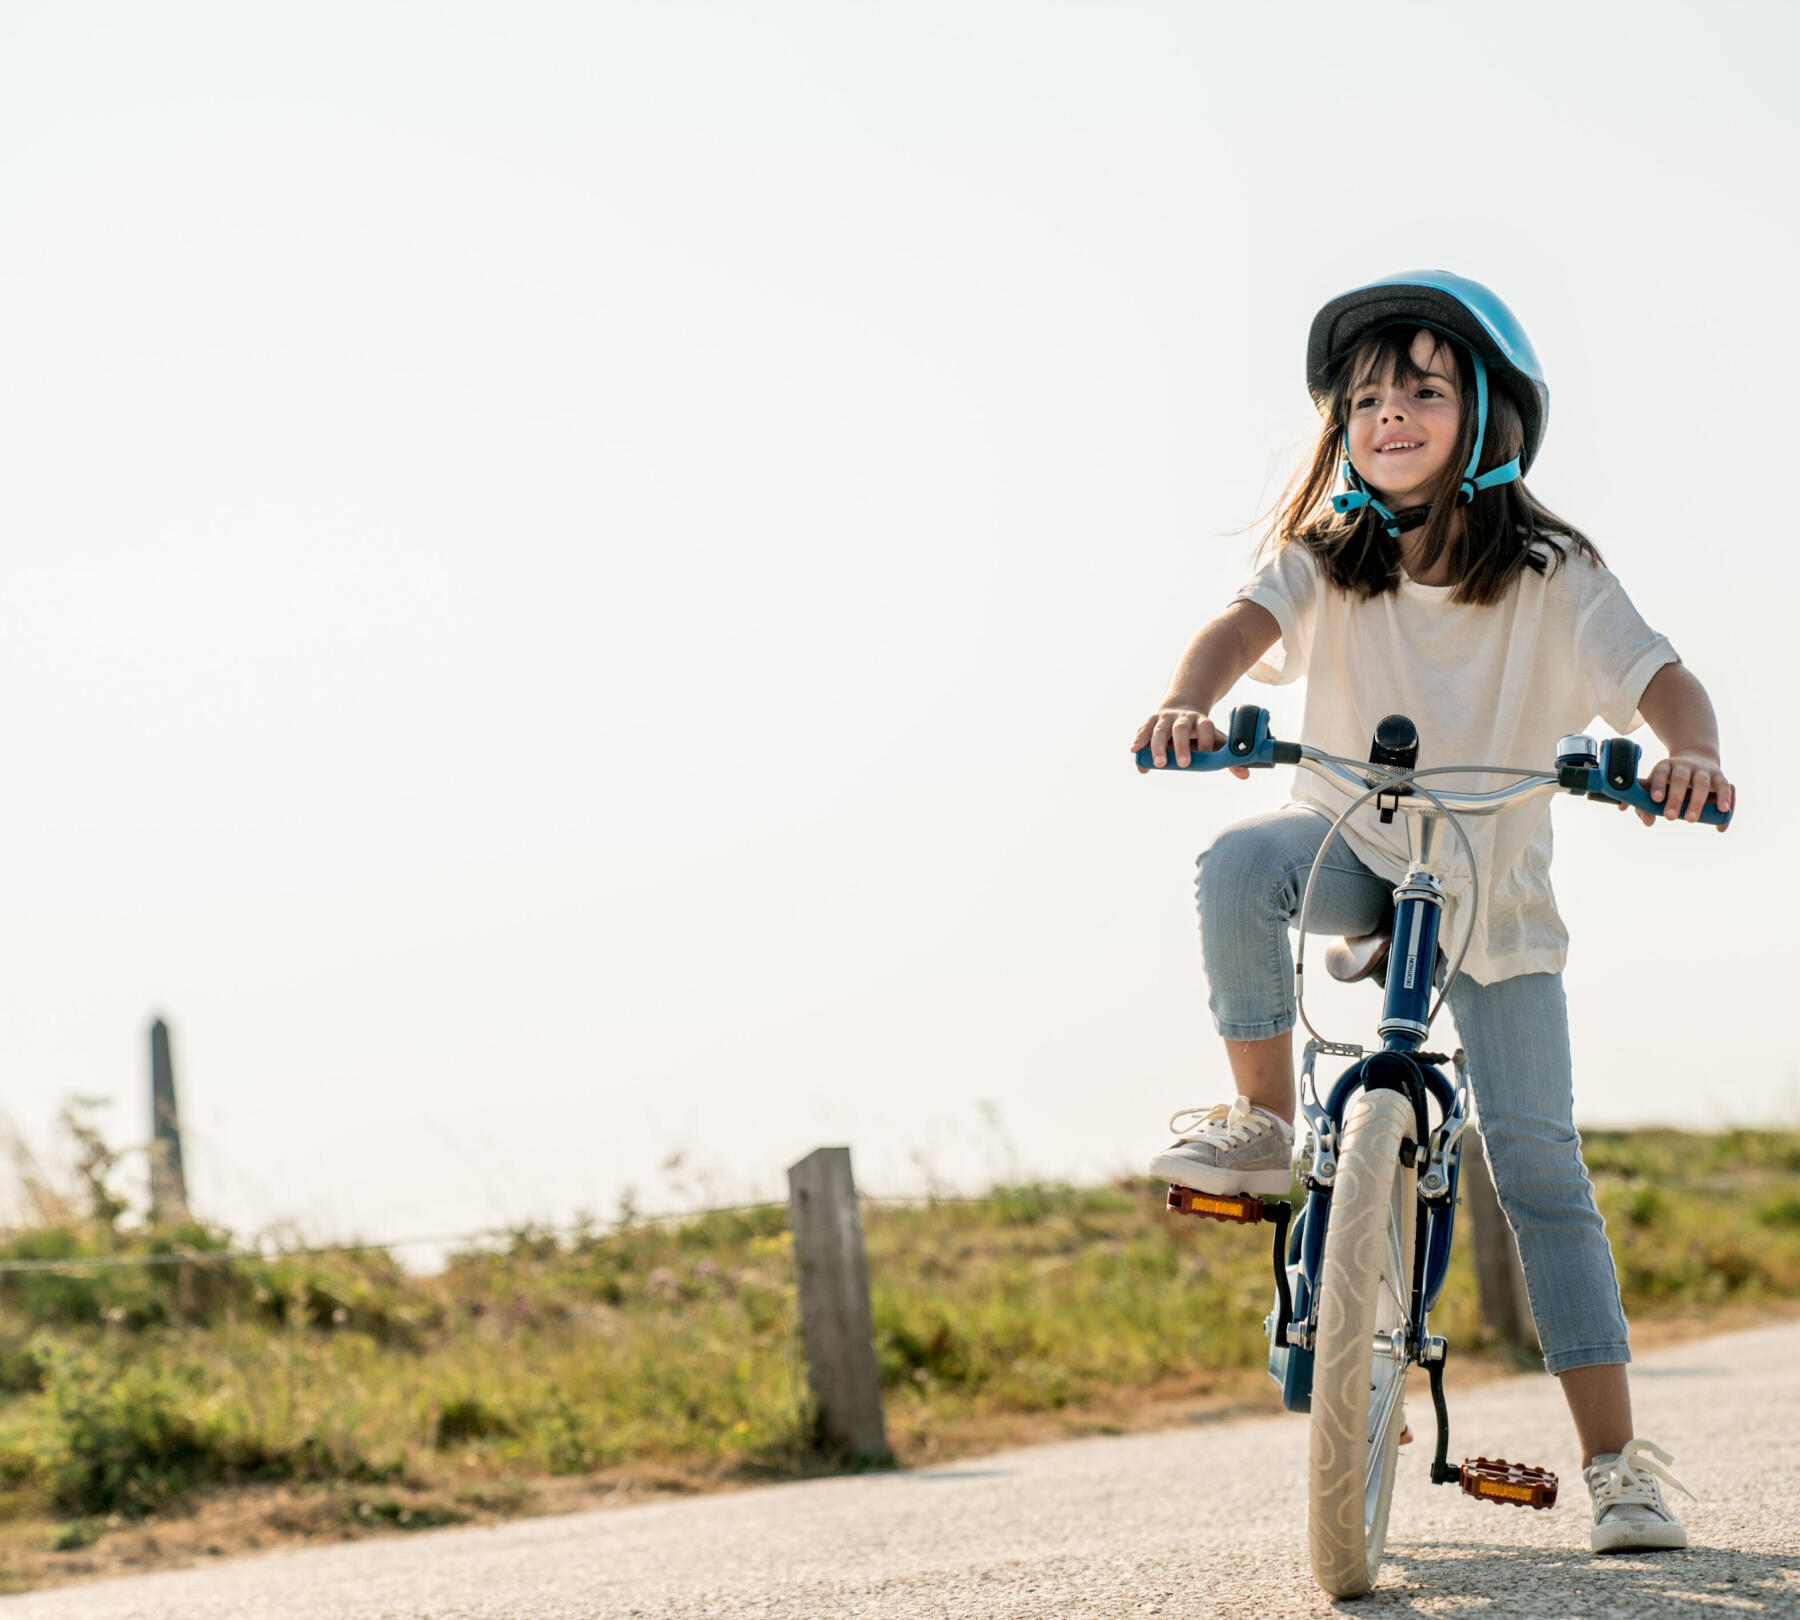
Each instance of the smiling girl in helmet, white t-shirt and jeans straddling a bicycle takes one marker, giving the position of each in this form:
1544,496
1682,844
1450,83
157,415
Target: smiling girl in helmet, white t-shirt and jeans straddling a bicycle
1435,586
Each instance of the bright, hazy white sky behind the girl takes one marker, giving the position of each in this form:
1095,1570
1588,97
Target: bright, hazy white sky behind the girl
579,577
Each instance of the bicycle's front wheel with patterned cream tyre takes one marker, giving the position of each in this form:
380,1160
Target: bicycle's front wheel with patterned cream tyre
1362,1344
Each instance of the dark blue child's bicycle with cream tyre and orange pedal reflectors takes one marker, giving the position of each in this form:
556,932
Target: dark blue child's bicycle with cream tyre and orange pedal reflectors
1360,1270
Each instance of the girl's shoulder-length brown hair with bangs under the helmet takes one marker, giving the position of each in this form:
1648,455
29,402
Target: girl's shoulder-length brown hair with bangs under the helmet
1506,528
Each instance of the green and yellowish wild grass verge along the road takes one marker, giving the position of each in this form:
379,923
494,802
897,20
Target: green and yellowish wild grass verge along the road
343,1394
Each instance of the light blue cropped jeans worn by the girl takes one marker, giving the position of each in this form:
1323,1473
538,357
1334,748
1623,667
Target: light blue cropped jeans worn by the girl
1516,1034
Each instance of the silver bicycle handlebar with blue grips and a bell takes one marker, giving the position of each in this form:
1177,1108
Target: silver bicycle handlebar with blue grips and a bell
1615,782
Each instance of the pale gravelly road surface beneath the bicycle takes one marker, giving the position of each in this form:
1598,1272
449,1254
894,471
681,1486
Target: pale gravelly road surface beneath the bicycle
1207,1522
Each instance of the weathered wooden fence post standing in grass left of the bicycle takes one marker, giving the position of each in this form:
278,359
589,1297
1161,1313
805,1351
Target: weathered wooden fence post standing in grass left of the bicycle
836,1324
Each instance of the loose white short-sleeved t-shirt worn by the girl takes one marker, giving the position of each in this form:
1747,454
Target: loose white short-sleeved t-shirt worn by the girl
1493,685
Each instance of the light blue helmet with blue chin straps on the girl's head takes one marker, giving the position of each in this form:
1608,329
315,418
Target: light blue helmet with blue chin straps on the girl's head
1462,310
